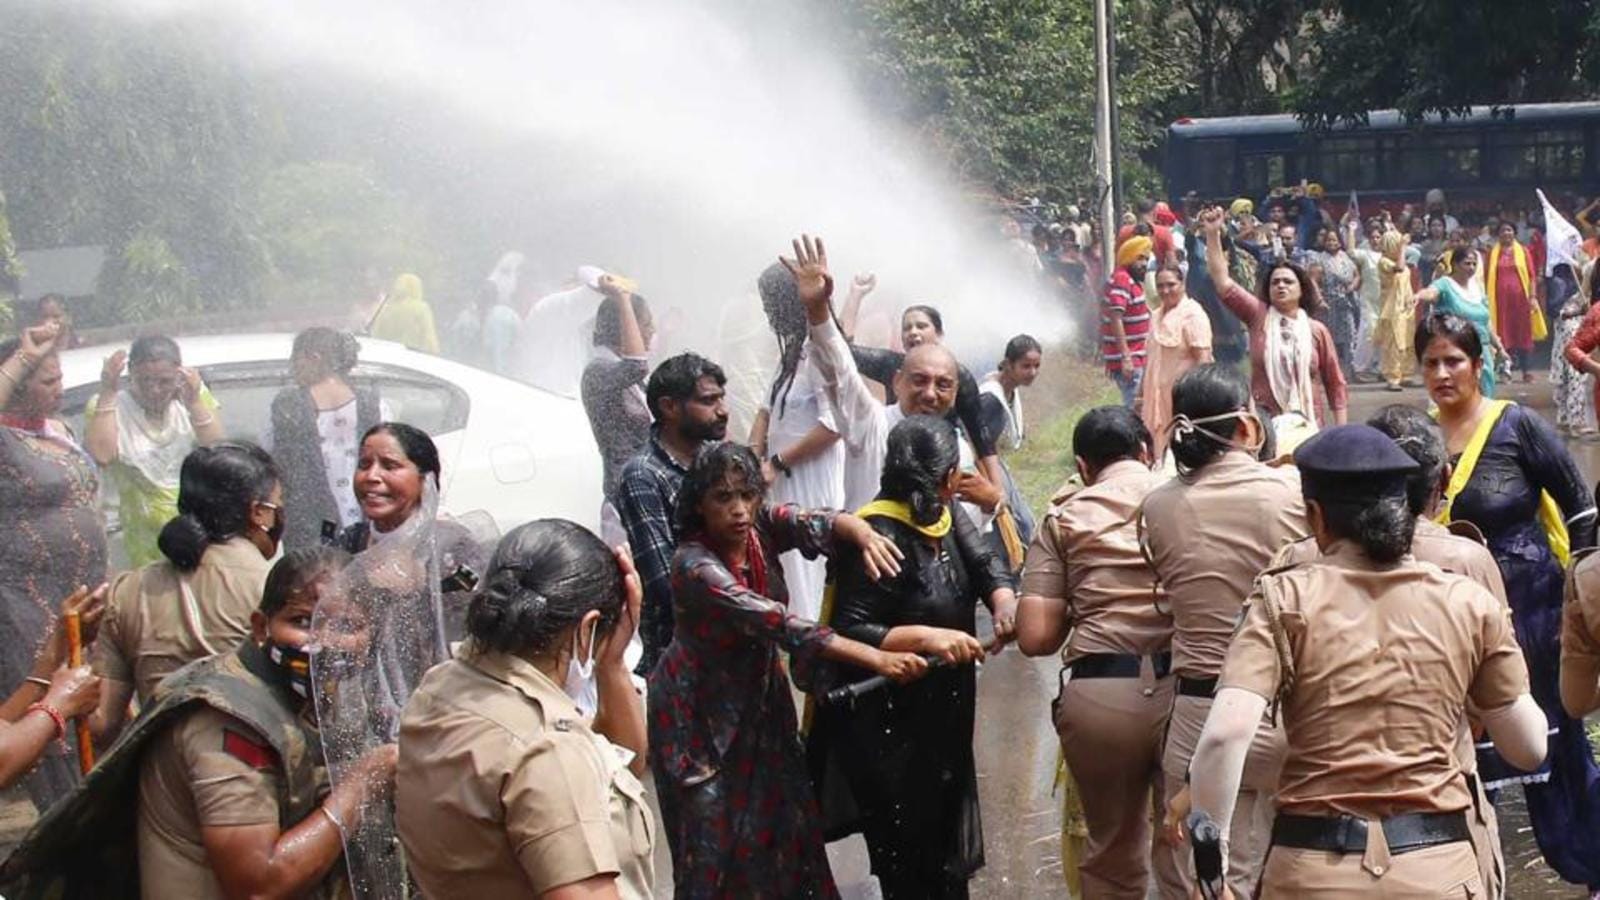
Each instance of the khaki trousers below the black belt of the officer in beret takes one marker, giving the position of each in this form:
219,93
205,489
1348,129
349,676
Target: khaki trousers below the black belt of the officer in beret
1433,874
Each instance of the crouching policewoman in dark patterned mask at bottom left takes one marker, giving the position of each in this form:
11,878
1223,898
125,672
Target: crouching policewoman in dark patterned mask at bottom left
233,795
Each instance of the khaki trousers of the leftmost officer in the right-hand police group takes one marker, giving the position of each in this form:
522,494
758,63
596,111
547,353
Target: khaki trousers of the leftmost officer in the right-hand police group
1111,736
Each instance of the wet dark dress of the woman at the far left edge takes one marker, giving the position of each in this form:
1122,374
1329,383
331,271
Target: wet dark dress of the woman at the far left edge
55,542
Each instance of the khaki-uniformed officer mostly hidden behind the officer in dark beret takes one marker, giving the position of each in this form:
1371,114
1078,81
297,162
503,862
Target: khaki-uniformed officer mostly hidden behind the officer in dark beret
1418,435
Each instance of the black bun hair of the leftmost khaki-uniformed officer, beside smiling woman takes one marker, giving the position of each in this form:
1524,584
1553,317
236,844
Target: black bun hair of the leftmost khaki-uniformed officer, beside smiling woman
217,489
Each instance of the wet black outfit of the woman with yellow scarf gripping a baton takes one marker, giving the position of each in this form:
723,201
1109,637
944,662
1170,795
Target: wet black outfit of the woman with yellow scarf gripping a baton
902,758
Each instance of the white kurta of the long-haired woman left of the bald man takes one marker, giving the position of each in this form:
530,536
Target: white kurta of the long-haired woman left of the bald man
815,484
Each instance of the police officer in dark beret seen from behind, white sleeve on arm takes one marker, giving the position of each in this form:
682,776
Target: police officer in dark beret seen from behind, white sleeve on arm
1370,657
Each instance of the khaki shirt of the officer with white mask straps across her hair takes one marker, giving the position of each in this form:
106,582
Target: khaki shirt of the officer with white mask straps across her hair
1209,540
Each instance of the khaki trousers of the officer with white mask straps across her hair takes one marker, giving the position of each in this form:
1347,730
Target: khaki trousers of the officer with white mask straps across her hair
1250,834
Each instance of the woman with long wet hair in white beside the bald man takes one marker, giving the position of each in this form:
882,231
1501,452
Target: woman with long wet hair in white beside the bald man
796,436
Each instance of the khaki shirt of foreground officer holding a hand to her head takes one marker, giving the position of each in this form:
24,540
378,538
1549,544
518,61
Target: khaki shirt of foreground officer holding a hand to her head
503,792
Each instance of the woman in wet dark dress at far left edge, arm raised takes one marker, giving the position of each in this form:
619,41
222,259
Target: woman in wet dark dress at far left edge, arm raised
57,537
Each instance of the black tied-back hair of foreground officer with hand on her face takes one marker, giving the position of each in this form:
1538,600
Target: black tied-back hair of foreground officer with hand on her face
543,579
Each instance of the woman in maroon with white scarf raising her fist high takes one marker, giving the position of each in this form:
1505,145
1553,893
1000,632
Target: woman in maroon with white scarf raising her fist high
1294,363
